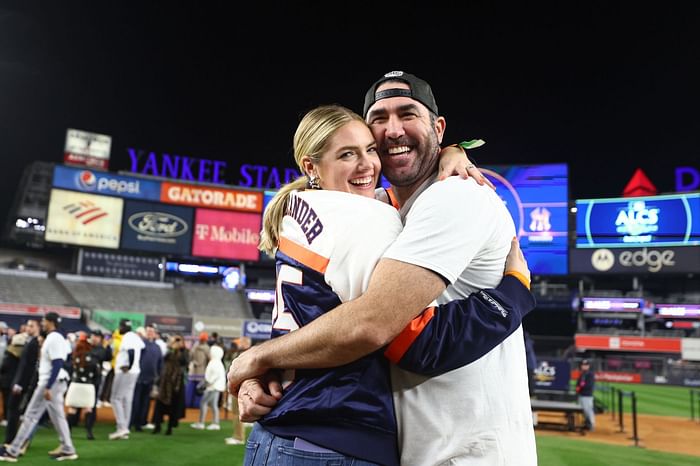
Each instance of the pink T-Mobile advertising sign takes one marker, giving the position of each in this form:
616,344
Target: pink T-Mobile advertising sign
226,235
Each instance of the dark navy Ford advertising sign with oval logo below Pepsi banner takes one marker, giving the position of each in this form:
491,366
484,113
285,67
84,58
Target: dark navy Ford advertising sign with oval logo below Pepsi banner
157,227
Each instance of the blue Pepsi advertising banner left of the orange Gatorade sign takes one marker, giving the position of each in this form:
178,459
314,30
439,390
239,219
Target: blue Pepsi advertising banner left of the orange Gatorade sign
93,181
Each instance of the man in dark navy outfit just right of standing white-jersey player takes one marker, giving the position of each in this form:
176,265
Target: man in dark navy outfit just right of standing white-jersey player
151,365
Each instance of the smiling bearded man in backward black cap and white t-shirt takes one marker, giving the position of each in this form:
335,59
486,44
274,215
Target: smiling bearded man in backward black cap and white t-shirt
479,412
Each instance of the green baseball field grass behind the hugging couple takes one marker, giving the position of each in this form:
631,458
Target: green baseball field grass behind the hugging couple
190,447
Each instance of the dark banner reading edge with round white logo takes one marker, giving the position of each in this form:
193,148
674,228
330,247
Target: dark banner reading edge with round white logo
664,260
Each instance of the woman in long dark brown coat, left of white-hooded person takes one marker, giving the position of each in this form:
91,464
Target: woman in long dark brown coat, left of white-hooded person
171,388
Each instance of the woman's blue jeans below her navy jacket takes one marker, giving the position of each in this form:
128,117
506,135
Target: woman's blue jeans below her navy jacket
266,449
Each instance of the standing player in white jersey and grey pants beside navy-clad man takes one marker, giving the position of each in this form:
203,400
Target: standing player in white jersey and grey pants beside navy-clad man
126,373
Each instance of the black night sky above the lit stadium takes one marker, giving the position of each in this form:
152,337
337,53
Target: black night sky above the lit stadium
605,87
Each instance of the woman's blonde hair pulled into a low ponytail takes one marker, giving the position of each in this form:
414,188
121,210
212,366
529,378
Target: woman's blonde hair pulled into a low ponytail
310,139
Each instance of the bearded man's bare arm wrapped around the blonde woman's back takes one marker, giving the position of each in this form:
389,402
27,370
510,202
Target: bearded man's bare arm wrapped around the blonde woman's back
397,293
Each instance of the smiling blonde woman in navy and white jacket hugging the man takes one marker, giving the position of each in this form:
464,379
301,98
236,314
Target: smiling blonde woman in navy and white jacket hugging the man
328,232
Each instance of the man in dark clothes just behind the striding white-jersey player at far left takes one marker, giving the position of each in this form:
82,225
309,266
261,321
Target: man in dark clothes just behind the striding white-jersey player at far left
21,383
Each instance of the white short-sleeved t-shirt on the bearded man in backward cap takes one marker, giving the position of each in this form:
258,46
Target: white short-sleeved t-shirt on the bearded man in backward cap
479,414
